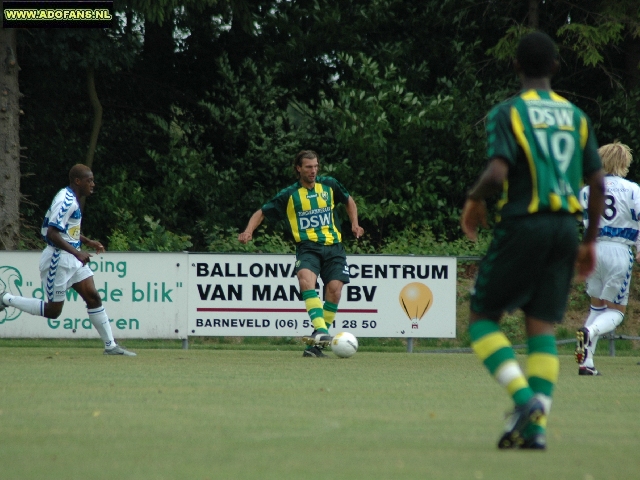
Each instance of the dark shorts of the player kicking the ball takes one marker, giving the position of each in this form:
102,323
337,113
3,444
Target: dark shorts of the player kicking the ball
329,262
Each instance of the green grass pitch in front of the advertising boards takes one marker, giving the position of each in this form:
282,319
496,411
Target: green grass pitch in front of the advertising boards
72,413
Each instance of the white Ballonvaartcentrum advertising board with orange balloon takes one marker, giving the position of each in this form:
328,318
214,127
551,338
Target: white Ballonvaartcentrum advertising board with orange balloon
258,295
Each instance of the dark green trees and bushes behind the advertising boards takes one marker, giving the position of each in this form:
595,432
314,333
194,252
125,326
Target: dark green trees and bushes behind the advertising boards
205,104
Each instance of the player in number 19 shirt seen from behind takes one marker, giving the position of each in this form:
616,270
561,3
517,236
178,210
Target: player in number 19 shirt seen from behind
540,147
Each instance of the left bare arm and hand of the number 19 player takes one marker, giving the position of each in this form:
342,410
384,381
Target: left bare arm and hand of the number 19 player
474,212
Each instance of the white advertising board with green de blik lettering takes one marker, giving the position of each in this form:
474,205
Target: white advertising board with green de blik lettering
144,294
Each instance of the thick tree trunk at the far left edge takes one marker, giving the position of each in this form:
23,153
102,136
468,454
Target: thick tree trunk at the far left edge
9,142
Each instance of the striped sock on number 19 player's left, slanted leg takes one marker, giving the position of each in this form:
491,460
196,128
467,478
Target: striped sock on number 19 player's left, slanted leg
496,352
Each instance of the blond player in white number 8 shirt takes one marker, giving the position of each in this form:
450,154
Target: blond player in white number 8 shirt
608,286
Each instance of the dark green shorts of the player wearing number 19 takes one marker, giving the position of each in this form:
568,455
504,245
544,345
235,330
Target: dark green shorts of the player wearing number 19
529,265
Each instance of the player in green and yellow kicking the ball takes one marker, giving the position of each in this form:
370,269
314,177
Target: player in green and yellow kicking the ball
307,207
